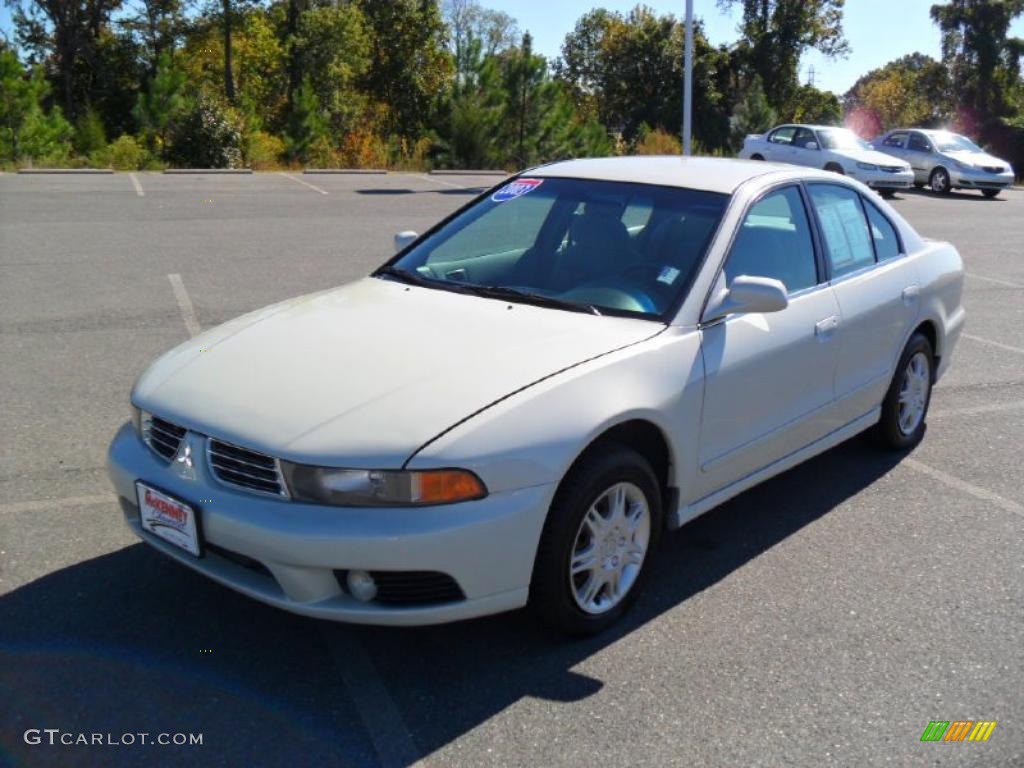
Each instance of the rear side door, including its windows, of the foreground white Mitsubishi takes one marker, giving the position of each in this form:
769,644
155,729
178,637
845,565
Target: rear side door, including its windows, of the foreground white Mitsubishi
877,290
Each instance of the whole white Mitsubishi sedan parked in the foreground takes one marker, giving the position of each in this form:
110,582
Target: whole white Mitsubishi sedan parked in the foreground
519,405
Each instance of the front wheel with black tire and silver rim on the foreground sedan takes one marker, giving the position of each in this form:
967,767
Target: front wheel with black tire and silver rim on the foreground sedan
599,541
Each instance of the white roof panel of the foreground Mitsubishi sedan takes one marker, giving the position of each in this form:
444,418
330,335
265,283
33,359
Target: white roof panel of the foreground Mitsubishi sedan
710,175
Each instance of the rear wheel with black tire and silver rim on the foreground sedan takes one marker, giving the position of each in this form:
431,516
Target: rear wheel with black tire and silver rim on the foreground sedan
906,408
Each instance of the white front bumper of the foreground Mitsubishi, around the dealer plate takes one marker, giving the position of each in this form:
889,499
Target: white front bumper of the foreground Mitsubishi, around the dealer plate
287,553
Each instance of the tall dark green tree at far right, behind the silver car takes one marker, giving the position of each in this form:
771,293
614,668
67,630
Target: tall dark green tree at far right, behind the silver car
984,61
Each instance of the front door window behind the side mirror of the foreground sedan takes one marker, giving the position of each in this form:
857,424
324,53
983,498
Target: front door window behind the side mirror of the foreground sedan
775,241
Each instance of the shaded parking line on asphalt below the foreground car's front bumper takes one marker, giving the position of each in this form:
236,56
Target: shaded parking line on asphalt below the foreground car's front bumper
380,715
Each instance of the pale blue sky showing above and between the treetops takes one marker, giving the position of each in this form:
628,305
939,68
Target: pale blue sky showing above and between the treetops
879,31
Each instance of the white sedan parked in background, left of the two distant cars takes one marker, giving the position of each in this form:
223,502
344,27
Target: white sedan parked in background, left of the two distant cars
831,149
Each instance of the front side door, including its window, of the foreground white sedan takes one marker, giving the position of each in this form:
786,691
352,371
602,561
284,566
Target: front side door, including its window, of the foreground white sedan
770,377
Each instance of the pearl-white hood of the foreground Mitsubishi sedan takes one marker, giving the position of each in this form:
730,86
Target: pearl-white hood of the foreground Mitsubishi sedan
365,375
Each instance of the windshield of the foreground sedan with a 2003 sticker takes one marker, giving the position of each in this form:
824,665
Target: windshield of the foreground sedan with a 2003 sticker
604,247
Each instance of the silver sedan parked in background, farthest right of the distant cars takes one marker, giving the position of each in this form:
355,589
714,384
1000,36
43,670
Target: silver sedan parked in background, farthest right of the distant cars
947,161
